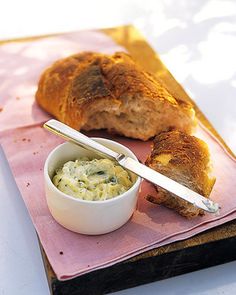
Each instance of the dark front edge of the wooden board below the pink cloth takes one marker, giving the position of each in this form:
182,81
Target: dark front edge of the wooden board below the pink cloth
216,246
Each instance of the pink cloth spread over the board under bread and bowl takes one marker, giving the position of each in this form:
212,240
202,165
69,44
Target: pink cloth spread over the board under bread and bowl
27,144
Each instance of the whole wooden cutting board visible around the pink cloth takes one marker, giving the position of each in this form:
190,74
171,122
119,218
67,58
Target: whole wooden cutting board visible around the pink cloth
210,248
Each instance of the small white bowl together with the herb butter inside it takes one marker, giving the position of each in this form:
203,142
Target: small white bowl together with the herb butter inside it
84,177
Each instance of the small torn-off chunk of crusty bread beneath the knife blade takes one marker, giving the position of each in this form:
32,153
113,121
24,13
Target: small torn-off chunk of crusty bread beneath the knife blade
185,159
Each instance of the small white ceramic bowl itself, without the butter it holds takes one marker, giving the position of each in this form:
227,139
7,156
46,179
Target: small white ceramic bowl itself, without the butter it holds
81,216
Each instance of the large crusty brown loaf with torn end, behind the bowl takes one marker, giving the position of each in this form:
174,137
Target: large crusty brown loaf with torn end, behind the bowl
96,91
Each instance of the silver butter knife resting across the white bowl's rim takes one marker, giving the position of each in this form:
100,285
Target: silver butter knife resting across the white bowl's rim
145,172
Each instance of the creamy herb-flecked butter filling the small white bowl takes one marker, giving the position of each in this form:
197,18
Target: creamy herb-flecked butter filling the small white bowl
93,180
